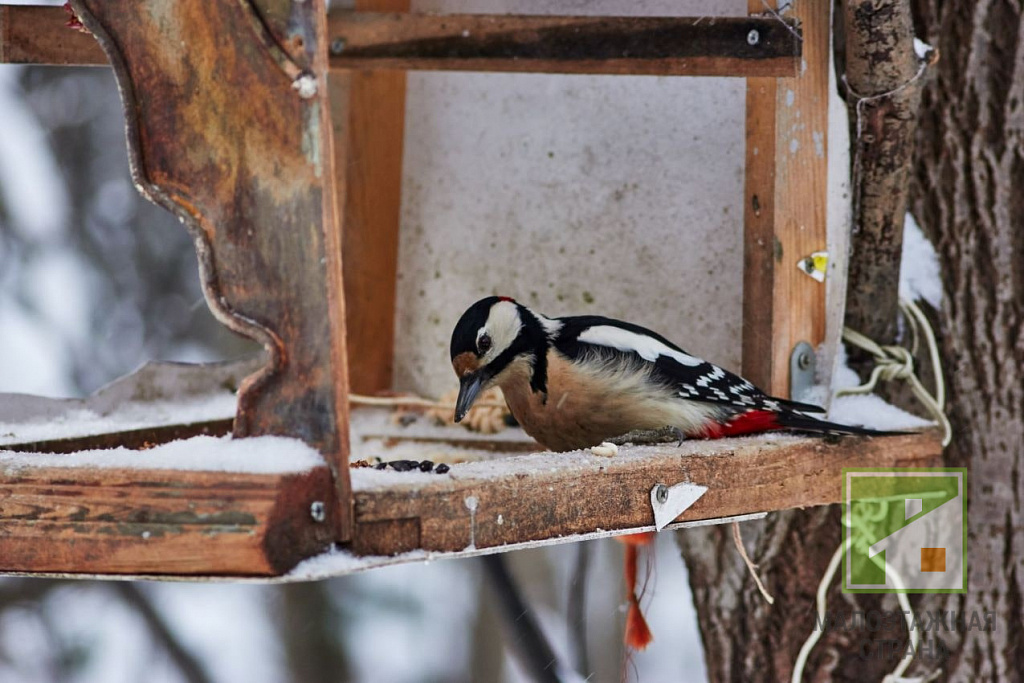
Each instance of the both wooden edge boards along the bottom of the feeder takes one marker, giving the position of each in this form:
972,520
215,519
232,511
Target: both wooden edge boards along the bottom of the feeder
144,521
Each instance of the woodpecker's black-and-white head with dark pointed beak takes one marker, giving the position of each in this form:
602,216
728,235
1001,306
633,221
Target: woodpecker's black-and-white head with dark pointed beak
496,340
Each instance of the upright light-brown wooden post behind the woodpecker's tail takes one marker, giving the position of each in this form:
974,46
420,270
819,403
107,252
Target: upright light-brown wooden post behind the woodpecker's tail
785,206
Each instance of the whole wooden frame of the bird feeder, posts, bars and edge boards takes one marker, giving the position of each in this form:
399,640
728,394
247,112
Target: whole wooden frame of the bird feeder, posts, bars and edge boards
274,131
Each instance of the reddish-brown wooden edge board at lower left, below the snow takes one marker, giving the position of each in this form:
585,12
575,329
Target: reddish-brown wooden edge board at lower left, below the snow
181,523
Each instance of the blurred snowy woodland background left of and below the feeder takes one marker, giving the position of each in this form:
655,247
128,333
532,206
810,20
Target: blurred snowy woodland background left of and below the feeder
94,282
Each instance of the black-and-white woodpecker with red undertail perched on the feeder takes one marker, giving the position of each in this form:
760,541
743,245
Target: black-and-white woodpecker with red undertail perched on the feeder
575,382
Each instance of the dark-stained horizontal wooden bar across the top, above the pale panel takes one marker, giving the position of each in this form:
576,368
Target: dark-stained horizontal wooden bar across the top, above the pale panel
635,46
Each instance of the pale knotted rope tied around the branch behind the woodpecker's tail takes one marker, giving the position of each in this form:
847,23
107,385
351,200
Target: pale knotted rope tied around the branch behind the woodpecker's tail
897,363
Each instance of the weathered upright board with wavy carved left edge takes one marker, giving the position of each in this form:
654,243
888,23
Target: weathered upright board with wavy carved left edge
240,150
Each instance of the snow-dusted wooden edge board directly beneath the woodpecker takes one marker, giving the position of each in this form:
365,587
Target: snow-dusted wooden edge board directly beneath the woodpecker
543,497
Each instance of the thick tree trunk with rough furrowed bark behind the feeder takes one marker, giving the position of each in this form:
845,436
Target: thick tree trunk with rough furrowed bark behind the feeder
968,193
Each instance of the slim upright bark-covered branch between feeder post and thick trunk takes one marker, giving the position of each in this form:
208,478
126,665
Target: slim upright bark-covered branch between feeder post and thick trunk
884,86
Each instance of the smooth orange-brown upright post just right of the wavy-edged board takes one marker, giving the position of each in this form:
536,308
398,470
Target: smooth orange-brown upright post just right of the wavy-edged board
368,112
